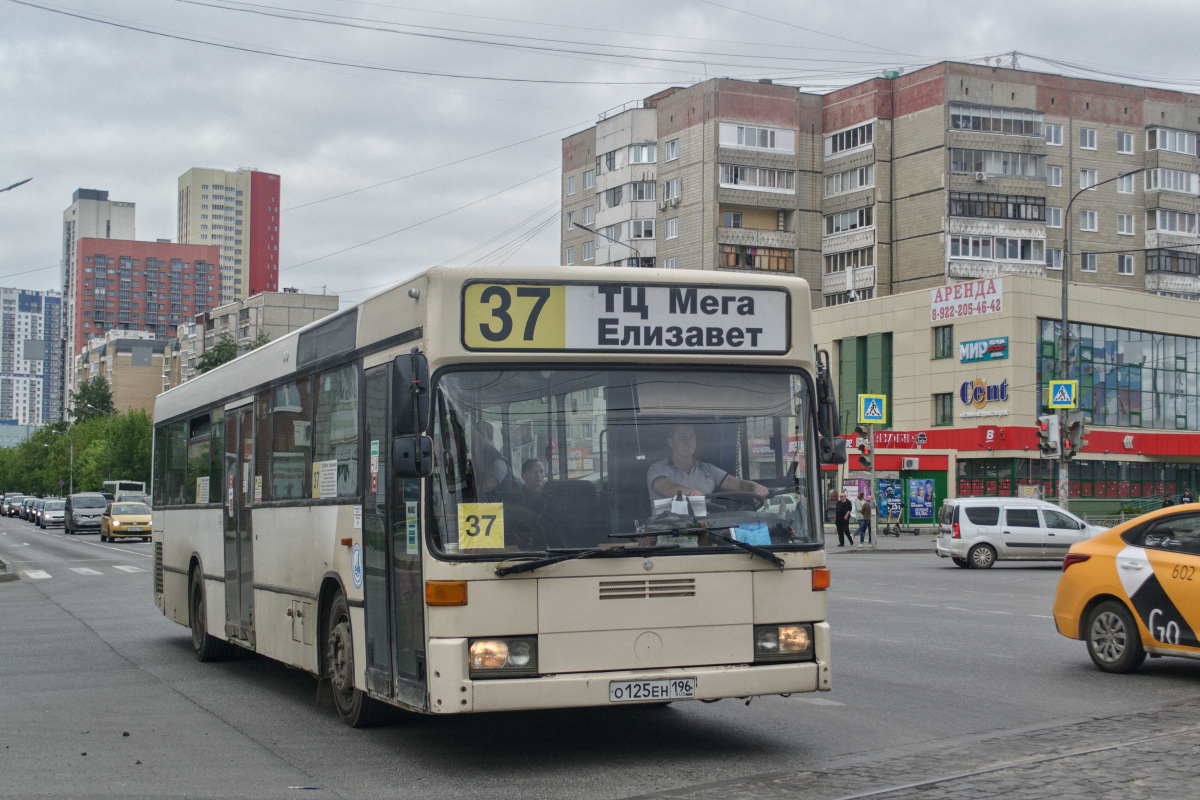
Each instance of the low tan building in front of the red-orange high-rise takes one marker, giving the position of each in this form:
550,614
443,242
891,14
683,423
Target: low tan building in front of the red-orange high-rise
131,363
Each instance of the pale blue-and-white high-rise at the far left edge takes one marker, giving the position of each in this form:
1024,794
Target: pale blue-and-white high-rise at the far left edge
31,357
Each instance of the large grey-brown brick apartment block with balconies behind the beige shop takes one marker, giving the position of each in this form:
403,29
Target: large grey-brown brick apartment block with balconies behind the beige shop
951,173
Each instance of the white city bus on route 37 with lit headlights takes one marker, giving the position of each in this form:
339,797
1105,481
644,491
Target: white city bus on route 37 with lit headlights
350,500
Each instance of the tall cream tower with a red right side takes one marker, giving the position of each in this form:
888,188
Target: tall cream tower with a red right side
239,213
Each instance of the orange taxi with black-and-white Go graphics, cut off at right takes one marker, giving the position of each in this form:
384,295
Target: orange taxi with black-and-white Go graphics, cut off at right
1135,590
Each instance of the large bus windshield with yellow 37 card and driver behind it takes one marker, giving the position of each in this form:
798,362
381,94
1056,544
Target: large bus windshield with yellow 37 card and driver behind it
537,460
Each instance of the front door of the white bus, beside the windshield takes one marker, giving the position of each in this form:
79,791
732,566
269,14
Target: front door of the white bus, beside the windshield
394,600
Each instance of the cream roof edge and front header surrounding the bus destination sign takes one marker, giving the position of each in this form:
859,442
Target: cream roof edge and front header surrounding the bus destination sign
428,308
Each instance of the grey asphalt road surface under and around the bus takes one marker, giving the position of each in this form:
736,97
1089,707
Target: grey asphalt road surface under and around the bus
926,657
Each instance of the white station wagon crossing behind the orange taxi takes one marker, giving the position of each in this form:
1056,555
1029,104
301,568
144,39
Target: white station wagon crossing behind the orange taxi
979,532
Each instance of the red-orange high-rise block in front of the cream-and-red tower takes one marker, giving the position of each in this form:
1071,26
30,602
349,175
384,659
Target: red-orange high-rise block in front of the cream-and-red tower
136,286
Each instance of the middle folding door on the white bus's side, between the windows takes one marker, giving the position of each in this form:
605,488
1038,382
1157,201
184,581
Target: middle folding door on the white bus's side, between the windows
239,550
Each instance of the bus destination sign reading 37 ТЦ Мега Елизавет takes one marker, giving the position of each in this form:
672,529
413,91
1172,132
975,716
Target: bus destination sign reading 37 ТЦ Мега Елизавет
581,317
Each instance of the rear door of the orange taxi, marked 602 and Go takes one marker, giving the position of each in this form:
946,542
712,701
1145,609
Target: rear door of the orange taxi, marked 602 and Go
1165,584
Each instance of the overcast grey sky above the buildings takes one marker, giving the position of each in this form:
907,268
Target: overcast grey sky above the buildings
380,116
